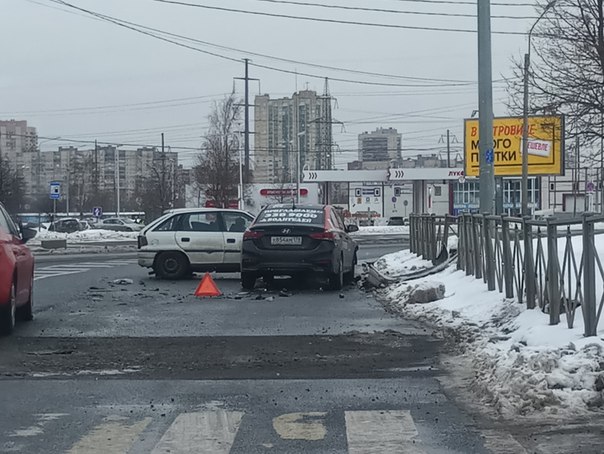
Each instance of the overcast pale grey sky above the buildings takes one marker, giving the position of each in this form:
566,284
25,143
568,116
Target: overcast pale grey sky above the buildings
74,76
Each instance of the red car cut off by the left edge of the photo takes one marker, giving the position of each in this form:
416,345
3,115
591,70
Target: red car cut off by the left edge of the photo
16,273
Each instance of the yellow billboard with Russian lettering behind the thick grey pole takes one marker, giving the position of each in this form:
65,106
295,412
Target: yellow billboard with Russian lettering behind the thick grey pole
545,146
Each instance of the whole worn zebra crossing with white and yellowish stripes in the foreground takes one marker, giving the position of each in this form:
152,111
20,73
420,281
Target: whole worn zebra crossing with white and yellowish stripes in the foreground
217,431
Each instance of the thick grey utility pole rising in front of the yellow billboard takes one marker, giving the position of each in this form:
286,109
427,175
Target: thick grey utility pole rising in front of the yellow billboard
485,107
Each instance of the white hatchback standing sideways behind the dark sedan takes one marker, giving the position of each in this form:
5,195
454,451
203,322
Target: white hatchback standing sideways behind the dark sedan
193,239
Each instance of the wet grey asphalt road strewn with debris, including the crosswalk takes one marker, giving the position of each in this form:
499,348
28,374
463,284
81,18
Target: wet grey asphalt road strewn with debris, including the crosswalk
117,361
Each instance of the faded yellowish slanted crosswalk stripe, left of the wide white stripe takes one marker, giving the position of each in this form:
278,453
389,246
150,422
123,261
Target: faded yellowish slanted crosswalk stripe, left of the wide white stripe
115,436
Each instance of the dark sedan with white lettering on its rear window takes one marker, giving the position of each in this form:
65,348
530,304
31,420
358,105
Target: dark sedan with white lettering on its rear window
294,240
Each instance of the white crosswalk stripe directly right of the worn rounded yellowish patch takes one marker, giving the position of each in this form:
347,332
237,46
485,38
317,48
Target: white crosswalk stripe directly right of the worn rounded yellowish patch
381,432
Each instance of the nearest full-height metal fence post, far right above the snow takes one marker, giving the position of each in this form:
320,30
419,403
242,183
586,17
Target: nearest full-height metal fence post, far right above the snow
589,279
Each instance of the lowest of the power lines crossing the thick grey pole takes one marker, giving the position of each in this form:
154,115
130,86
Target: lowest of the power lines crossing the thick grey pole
333,21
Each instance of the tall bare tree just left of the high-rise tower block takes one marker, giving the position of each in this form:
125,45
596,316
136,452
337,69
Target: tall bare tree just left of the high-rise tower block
217,170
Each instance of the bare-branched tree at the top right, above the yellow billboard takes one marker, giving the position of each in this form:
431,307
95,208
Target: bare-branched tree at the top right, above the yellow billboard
567,67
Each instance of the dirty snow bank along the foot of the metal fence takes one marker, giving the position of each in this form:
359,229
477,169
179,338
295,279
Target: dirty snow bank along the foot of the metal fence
522,365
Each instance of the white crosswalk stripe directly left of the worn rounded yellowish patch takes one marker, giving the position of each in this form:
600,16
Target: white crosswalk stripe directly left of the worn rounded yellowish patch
211,432
